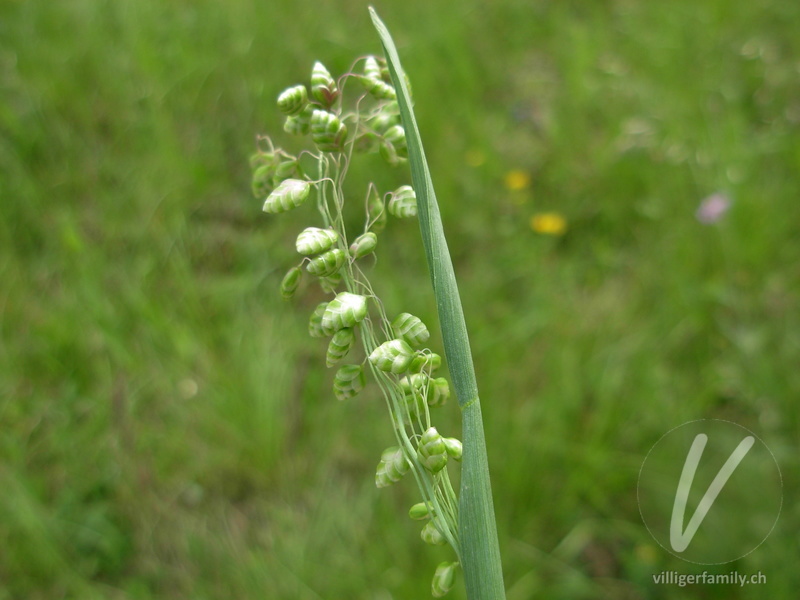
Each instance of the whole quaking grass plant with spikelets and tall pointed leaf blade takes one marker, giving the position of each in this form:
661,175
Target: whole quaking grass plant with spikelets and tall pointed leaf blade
380,119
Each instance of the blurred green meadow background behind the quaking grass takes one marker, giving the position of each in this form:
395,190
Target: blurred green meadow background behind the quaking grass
167,428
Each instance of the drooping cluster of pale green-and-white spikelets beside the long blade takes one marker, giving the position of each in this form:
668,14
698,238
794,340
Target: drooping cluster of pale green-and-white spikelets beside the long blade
341,128
